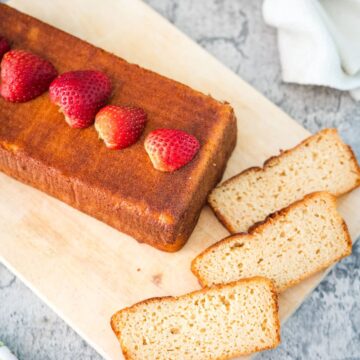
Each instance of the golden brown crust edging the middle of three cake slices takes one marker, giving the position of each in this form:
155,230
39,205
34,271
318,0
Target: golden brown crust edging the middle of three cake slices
258,228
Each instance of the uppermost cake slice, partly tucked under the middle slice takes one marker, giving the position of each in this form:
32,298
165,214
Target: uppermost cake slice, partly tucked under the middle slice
320,163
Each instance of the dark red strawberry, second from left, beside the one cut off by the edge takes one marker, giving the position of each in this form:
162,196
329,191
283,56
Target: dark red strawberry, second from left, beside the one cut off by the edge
25,76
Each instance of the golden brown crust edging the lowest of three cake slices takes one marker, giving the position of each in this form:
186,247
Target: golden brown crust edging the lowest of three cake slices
274,296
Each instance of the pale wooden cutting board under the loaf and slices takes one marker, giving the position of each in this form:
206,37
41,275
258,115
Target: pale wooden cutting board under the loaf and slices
86,270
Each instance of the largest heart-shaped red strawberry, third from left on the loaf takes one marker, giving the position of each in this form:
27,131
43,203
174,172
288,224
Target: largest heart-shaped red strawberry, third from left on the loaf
80,95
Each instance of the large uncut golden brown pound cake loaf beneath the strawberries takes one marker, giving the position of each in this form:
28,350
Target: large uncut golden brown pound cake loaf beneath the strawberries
121,188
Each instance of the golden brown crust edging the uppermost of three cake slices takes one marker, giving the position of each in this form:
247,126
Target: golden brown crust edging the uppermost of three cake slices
273,160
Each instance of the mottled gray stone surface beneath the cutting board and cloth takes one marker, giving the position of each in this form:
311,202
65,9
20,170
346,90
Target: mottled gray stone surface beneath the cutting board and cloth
327,326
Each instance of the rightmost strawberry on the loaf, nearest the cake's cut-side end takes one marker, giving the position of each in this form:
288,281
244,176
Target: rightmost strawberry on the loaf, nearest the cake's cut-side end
171,149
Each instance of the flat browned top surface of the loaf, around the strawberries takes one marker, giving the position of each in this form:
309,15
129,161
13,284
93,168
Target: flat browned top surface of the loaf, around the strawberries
38,129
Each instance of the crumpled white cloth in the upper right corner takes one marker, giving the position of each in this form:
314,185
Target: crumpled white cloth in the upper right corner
319,41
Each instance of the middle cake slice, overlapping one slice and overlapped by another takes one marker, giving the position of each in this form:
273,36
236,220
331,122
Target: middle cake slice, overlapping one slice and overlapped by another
289,246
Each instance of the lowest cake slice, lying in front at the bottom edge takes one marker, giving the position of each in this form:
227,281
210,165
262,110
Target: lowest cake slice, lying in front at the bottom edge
216,323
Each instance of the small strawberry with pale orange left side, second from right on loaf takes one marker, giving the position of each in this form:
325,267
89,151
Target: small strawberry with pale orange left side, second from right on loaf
120,126
